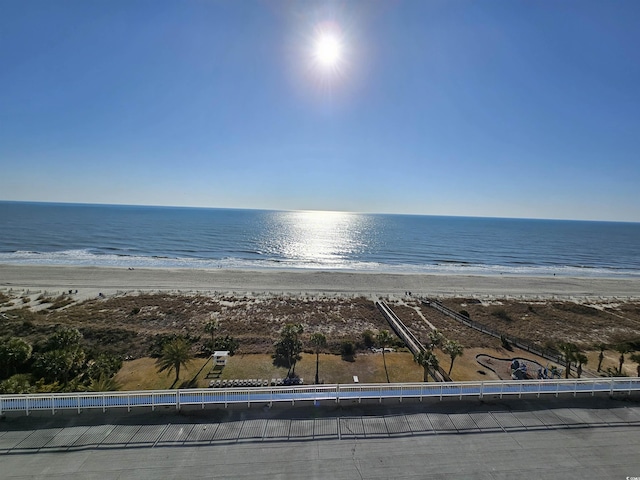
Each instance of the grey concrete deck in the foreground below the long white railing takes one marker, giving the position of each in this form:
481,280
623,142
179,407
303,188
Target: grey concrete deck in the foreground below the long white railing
572,438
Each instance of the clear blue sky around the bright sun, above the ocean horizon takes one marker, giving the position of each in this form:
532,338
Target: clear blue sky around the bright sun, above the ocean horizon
481,108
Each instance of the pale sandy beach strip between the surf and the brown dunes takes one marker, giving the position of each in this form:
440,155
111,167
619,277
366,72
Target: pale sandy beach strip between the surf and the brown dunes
89,281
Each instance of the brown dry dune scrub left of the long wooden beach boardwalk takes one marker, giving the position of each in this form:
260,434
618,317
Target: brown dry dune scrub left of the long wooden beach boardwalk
129,324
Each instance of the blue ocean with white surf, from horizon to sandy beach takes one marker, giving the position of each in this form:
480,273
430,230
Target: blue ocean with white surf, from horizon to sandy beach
176,237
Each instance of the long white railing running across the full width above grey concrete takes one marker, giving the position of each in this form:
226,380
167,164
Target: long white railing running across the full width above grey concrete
176,399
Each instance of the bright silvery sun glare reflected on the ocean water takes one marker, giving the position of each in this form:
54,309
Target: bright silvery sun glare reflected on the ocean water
316,238
